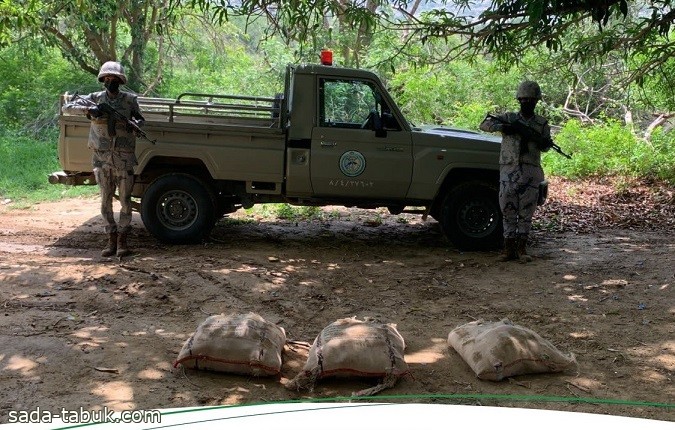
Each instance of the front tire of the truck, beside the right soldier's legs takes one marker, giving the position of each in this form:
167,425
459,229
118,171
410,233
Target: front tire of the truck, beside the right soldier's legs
470,217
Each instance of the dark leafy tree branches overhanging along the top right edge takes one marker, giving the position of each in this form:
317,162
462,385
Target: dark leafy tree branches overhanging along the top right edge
504,29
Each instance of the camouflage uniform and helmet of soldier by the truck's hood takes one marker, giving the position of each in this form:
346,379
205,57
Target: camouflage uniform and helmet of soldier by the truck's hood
520,174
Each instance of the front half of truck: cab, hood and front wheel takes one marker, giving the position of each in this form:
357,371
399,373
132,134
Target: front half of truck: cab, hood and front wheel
355,147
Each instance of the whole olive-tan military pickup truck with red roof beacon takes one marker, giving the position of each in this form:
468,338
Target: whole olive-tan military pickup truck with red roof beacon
334,137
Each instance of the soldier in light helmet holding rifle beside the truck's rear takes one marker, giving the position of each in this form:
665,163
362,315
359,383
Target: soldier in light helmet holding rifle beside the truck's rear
113,141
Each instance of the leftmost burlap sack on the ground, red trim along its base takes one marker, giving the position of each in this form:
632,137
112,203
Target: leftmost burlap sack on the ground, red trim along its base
236,343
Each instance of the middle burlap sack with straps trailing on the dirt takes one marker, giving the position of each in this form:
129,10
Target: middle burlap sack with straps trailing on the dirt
353,348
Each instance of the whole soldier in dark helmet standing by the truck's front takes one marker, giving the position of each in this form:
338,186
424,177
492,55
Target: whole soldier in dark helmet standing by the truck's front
520,172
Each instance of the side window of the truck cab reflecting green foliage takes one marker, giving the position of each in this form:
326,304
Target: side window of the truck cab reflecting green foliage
346,103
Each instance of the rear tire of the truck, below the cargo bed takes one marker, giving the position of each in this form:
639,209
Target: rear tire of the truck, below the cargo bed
178,209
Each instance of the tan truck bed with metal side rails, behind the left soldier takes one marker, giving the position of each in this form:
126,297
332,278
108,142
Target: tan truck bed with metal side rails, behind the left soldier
225,132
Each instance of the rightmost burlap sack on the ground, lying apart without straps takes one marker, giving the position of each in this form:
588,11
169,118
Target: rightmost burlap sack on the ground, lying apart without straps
498,350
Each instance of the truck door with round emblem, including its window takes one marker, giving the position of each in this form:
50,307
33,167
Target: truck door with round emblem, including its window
348,157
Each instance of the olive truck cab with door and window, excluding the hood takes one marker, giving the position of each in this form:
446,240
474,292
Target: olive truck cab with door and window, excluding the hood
346,139
